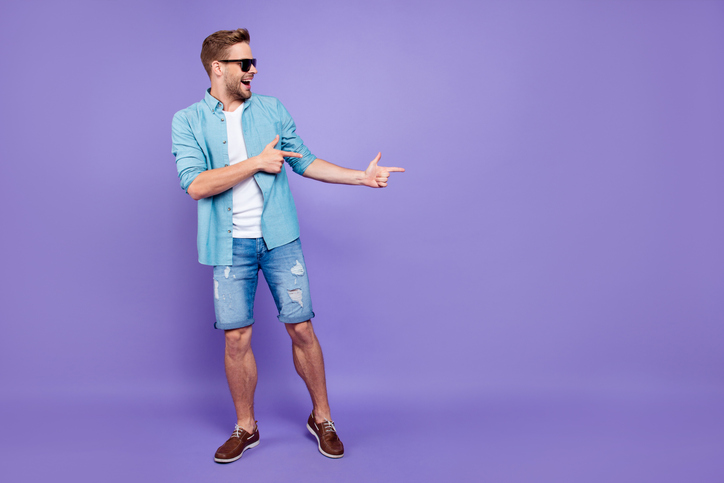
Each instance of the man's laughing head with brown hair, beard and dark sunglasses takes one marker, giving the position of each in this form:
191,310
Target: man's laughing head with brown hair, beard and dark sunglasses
218,52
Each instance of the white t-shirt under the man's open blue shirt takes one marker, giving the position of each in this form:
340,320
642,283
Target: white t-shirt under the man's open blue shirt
248,200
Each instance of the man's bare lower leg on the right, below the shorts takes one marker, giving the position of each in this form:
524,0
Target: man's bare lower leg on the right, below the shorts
309,363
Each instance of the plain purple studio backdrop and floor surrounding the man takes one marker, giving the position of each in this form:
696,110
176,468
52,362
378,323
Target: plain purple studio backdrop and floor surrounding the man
538,298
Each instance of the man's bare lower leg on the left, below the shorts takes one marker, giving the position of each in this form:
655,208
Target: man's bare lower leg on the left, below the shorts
241,375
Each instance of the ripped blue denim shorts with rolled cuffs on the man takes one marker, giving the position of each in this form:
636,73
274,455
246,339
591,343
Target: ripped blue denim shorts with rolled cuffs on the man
284,271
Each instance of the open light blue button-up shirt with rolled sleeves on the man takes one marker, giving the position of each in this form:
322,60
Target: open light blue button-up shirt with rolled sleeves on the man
199,143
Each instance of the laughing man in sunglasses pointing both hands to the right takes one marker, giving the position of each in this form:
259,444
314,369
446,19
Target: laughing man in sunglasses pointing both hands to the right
230,150
